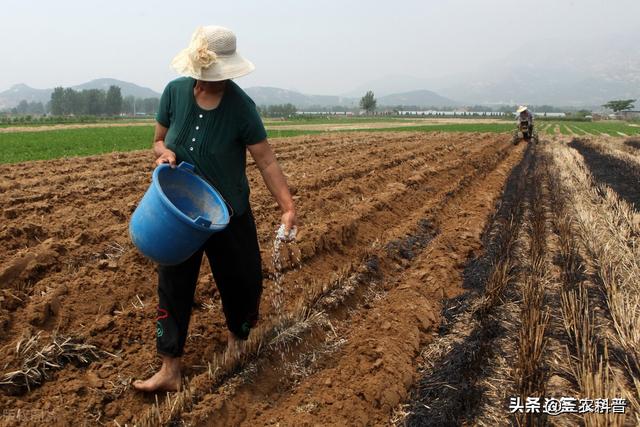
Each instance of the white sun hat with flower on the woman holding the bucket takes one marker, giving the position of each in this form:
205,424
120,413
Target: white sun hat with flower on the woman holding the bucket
212,56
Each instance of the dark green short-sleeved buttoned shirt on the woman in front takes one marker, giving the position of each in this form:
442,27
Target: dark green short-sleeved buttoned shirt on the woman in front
214,141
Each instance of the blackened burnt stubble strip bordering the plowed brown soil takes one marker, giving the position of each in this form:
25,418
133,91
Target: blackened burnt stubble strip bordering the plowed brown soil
450,389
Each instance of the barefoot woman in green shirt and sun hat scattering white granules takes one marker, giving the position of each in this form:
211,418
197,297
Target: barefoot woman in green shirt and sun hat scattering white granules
205,119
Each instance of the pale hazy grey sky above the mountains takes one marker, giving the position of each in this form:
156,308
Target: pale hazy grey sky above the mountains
319,47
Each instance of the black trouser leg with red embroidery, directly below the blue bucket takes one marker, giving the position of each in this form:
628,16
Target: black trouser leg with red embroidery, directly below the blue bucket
176,289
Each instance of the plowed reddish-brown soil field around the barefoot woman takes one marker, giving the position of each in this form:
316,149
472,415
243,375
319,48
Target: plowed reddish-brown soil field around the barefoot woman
388,224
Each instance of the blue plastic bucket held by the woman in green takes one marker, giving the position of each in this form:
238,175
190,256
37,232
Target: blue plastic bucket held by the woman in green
177,214
